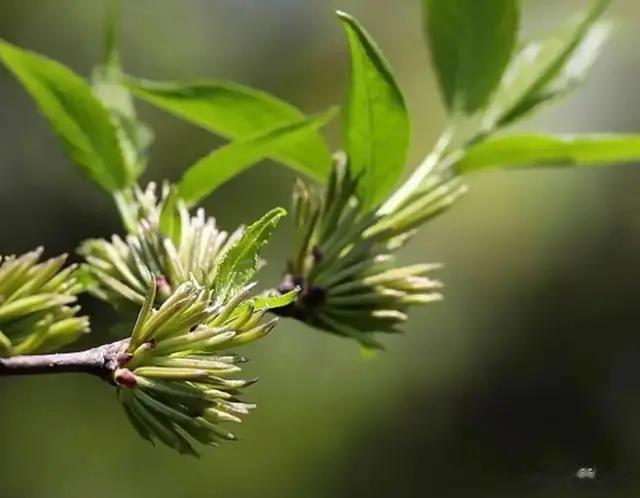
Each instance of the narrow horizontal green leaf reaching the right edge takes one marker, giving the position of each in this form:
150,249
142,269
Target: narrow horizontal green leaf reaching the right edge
526,150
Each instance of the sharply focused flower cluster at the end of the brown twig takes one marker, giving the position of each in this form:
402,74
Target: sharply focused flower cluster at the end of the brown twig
175,380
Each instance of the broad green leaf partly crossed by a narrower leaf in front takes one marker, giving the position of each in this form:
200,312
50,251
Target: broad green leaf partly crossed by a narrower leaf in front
237,112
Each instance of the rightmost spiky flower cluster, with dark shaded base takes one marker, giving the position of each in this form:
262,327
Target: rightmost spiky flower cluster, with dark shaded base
343,258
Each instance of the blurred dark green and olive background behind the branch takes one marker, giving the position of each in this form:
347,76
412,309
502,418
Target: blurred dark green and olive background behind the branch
528,371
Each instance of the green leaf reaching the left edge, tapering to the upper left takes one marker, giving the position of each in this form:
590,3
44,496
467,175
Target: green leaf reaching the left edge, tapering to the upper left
77,116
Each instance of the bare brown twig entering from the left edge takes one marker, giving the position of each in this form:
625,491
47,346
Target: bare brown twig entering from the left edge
100,361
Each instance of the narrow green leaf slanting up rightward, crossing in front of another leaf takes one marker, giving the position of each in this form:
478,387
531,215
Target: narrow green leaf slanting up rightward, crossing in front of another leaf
229,160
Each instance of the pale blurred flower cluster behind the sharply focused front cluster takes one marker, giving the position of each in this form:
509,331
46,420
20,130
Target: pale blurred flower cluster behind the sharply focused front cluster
122,267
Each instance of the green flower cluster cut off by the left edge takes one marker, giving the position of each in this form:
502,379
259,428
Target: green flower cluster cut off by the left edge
36,298
